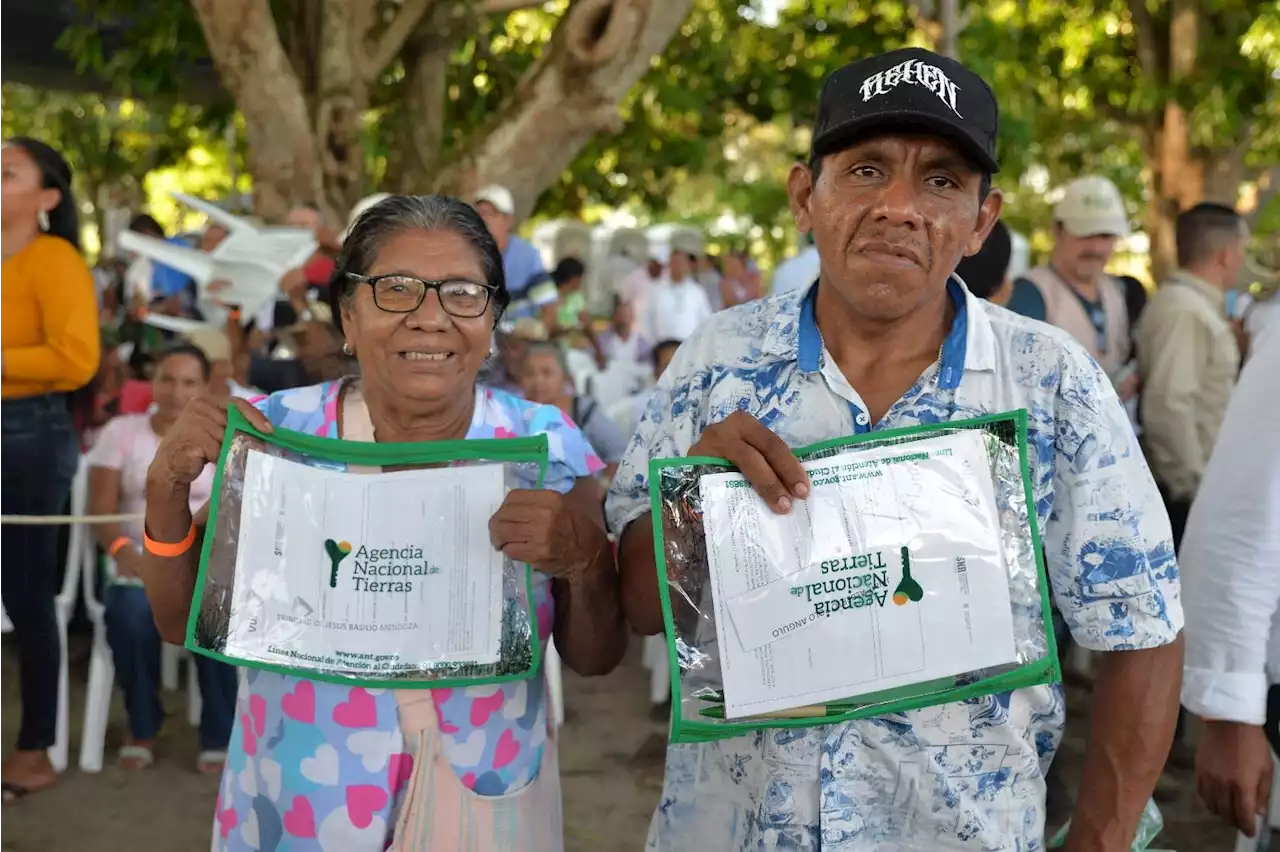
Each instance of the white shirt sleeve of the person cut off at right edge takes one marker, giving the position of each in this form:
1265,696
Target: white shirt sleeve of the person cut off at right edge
1232,556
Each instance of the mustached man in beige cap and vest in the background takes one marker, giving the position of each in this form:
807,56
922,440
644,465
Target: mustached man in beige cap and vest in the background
1073,292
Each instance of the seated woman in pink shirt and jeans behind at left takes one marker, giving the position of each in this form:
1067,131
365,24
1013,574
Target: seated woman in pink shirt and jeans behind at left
118,471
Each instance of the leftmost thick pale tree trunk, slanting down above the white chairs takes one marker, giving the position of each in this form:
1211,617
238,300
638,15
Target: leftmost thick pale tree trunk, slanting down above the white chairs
246,48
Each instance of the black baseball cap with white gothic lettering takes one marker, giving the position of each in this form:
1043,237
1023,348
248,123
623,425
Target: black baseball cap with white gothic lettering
908,89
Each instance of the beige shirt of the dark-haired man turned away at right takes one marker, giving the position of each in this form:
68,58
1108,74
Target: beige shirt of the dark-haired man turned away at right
1190,361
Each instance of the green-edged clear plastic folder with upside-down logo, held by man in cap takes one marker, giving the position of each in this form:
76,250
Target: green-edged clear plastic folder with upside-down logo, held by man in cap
911,576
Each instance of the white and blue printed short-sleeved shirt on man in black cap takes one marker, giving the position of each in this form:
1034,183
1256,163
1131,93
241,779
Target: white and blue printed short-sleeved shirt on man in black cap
967,776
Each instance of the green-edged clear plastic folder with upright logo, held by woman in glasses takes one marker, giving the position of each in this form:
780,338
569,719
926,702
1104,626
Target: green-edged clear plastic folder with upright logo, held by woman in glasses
365,564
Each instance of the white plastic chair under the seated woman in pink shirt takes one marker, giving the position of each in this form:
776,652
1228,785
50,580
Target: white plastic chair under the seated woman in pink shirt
102,677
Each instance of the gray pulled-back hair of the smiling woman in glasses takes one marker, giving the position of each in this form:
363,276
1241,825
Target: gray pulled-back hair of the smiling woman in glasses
397,214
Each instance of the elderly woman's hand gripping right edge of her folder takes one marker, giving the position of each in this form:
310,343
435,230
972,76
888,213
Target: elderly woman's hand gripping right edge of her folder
548,532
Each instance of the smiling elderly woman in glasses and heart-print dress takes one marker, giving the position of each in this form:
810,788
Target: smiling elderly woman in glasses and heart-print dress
418,291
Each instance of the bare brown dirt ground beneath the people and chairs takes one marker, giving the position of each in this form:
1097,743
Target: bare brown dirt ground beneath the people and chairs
611,761
